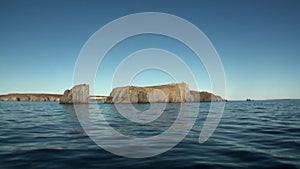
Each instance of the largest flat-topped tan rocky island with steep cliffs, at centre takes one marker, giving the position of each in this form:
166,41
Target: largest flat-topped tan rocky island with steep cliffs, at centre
170,93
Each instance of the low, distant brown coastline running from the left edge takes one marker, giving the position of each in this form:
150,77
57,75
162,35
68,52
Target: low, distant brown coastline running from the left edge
30,97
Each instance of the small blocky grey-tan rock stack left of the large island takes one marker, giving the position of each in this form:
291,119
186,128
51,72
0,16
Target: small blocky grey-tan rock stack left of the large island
78,94
